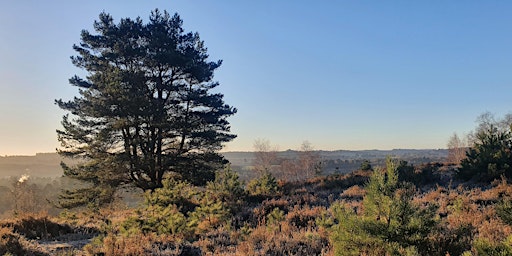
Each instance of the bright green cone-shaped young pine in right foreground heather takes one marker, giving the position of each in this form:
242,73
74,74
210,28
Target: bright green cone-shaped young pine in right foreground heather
391,223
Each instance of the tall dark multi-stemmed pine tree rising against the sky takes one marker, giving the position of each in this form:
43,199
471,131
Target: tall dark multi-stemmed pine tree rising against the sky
146,107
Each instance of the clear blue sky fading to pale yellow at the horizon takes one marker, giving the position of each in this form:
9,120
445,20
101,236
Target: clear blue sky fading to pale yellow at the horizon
340,74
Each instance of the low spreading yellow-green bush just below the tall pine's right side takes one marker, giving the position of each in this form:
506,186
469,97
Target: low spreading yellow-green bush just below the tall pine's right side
182,210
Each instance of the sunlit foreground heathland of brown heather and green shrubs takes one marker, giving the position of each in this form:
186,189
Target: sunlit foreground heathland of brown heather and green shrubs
398,210
